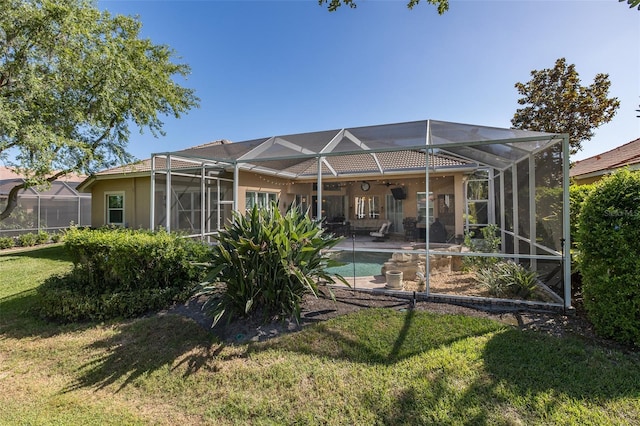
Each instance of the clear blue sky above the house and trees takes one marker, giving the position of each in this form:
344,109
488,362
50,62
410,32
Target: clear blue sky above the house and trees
264,68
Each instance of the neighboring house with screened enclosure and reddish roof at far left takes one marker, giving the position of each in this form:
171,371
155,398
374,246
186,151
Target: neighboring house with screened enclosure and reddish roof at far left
47,208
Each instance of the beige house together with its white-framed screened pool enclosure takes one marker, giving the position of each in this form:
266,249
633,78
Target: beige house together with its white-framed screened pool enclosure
411,174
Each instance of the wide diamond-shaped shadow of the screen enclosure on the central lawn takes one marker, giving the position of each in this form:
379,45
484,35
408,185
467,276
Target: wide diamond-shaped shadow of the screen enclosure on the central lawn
380,336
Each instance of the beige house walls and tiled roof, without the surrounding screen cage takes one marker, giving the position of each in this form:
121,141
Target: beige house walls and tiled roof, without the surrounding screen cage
122,195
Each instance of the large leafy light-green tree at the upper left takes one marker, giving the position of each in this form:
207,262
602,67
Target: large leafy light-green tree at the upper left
74,81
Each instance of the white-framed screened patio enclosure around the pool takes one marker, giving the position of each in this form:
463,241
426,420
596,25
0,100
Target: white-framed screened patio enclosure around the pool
417,177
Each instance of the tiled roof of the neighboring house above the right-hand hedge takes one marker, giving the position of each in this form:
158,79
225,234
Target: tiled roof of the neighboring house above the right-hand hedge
594,168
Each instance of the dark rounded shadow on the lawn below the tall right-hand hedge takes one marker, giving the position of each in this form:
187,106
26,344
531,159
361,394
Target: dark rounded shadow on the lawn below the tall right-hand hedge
532,363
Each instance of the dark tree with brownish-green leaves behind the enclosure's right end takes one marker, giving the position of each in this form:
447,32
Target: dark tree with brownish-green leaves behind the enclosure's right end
556,102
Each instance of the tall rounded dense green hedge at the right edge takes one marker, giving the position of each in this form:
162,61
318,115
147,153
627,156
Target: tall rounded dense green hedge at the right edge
608,235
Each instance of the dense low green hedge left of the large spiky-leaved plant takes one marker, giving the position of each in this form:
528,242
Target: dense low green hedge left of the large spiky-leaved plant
122,273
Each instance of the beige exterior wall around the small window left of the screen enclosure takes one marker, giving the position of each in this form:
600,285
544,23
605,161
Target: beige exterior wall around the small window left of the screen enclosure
137,200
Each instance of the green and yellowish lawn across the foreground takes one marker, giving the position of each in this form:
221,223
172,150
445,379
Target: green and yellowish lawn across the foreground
372,367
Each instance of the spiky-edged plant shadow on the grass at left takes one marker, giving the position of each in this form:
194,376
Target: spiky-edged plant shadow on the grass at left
145,345
